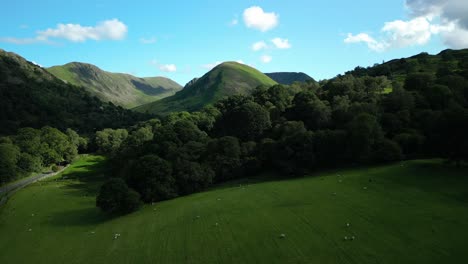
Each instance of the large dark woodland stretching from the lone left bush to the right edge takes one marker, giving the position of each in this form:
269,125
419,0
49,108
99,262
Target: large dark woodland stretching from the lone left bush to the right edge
291,129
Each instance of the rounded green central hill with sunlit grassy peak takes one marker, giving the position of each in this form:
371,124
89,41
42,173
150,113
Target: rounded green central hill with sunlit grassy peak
226,79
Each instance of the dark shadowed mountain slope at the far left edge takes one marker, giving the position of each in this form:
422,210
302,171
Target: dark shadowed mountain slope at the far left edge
30,96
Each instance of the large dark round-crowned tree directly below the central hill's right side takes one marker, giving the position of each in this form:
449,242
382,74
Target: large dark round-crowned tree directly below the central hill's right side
247,122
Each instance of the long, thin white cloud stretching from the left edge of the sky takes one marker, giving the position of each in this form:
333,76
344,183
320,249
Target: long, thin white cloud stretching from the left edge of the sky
106,30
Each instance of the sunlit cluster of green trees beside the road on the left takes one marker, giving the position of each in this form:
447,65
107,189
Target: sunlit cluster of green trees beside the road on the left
33,150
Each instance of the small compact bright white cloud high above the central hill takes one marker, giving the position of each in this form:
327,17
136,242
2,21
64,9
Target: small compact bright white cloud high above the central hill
256,18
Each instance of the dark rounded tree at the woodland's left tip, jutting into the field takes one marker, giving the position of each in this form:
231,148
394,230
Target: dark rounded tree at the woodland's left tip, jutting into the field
115,197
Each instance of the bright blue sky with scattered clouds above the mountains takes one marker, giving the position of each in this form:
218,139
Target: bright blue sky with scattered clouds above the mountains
183,39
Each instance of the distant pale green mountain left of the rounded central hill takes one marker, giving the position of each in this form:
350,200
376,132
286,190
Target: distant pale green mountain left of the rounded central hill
121,89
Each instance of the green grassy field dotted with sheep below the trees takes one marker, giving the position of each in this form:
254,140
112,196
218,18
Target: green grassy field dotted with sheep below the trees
416,212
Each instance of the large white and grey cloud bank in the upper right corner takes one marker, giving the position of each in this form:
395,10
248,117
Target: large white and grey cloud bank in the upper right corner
451,26
